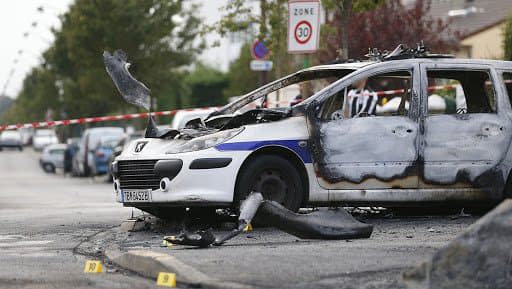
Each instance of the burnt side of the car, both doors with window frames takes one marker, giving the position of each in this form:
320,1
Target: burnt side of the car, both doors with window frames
461,156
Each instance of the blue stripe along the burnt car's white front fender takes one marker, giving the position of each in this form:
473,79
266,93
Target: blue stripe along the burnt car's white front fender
302,152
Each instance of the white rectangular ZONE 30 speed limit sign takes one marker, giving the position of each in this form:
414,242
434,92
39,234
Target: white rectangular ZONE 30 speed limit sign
303,26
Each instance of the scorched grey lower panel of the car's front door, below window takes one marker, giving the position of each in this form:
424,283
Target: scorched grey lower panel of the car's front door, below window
372,147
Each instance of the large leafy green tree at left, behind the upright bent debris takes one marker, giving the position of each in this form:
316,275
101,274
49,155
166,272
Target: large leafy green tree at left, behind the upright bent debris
159,37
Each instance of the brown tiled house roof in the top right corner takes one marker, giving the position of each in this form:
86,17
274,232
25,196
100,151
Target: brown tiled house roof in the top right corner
471,16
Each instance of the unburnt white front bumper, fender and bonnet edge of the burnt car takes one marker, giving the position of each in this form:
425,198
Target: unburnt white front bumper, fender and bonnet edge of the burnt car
185,187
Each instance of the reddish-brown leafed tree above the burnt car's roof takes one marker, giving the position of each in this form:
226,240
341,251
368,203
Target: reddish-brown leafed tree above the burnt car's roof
387,26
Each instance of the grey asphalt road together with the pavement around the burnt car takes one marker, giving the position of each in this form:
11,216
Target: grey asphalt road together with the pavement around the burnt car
44,219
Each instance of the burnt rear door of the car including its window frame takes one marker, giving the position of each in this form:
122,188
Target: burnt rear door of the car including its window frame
466,150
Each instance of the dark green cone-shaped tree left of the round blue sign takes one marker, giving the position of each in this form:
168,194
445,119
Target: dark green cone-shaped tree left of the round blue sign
240,77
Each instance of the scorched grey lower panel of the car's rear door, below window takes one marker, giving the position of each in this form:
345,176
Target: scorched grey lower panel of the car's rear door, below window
465,149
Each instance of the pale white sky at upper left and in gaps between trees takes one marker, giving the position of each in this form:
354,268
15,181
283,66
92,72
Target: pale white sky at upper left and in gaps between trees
24,43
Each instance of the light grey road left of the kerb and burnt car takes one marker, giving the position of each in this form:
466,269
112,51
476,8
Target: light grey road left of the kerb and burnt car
44,217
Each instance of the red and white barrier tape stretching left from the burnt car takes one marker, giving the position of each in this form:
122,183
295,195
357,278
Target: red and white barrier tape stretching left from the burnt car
97,119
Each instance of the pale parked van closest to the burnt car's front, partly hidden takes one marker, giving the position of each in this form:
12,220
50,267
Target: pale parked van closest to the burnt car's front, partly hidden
83,160
